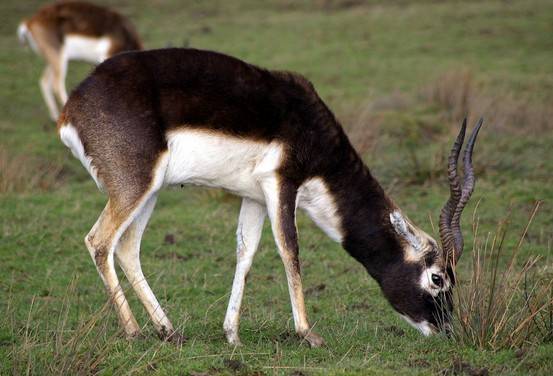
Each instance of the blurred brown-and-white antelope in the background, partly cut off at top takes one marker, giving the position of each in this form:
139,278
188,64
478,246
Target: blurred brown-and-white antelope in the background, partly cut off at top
74,30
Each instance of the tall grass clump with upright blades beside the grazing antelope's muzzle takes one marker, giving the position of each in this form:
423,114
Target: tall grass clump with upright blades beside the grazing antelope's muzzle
504,305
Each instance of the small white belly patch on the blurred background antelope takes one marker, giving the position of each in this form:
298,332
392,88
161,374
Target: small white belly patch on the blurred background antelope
93,50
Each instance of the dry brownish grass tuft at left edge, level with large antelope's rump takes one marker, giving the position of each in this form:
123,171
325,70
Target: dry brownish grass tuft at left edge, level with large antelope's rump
21,173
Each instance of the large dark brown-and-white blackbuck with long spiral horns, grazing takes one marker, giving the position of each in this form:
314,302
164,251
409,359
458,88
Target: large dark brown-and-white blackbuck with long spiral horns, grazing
143,120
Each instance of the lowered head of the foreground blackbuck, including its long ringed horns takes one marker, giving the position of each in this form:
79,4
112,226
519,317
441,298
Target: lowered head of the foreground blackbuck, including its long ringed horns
419,287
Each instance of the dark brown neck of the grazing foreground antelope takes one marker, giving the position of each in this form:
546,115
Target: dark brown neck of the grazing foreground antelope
362,204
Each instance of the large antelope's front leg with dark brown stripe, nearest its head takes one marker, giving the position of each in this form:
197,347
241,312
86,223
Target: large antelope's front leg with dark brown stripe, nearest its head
280,196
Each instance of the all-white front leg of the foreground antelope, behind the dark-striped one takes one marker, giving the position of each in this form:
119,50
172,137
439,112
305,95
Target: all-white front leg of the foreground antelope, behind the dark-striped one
248,233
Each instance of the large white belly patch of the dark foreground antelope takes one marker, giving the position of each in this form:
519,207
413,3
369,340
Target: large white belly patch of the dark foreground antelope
214,160
